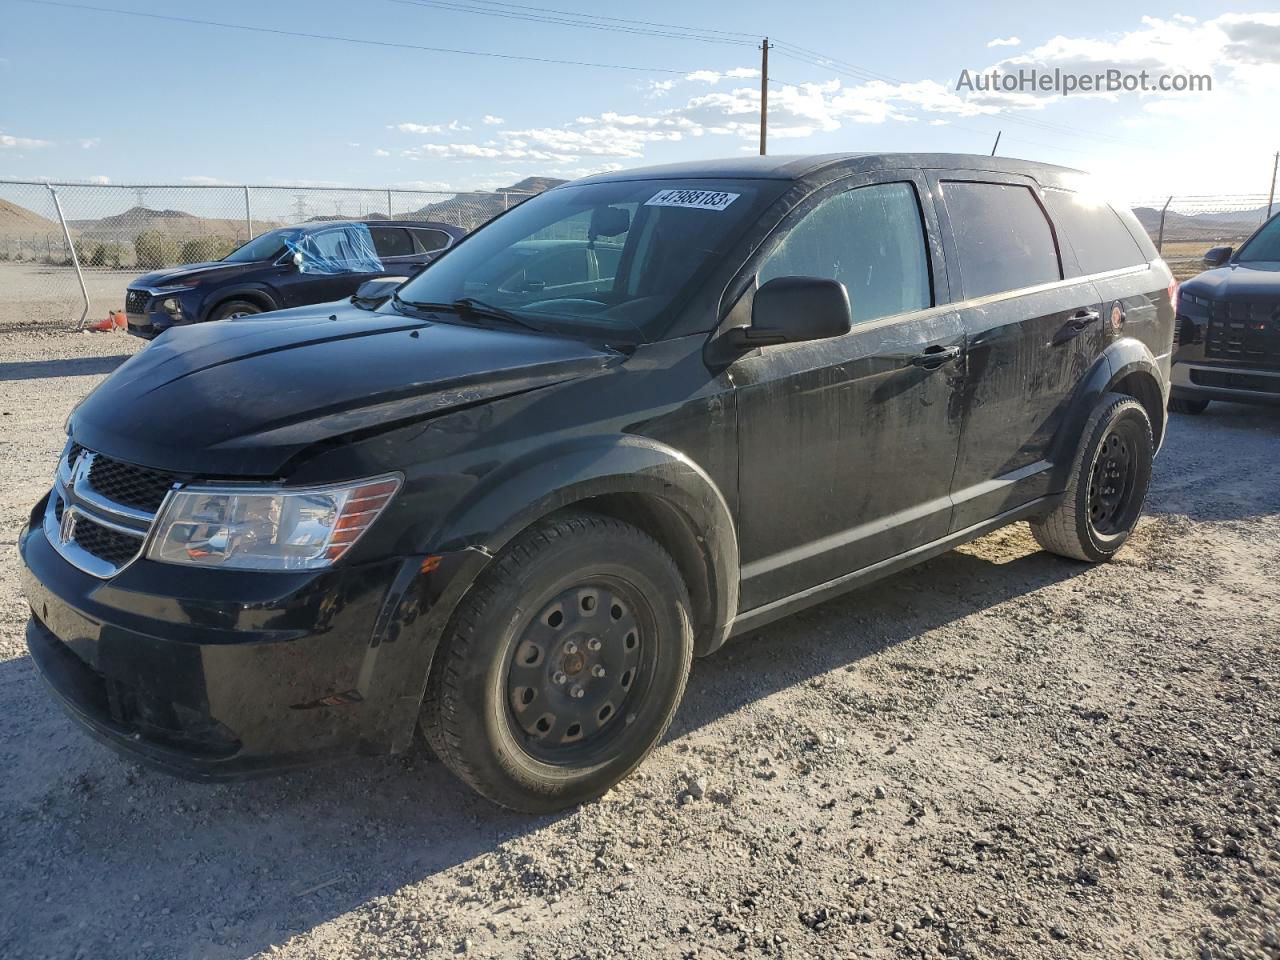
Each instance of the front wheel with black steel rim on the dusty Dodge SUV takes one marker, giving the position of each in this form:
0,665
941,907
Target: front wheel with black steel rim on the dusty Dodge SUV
575,595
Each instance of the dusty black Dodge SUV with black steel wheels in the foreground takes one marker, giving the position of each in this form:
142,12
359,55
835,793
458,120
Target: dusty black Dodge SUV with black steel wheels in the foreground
511,504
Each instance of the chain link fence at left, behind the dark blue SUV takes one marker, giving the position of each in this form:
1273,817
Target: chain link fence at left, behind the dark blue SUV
70,250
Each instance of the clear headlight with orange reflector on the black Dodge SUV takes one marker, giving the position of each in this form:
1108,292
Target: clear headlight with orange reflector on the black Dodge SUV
248,528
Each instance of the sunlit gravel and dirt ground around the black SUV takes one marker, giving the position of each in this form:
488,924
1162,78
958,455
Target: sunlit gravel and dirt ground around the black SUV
1000,755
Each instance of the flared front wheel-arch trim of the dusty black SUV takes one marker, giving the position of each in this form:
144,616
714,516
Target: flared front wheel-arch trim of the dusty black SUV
547,481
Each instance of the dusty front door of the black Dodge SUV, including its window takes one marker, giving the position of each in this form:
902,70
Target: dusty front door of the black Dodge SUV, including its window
847,446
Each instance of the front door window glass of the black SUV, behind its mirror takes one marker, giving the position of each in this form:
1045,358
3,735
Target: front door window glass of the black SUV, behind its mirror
871,240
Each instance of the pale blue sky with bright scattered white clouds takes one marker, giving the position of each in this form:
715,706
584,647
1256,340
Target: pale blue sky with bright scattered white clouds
92,95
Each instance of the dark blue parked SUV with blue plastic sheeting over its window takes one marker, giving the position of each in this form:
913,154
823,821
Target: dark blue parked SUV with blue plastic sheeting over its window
286,268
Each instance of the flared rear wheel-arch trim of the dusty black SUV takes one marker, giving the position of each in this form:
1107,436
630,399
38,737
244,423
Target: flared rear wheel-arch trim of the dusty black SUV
1126,367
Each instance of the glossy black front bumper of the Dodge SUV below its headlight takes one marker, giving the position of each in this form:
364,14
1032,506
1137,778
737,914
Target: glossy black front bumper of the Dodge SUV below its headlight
220,675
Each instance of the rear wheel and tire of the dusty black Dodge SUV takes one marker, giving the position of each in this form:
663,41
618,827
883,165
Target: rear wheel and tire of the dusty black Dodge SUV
1110,478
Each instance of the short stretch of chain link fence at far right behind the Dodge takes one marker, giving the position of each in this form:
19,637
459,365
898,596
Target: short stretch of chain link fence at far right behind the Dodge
1185,227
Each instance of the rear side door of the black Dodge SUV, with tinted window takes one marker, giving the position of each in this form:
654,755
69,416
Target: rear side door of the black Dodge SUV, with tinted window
1032,333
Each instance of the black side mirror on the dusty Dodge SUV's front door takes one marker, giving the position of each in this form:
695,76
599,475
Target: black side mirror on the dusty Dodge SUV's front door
796,309
